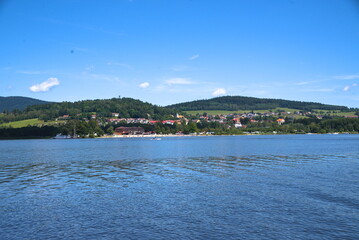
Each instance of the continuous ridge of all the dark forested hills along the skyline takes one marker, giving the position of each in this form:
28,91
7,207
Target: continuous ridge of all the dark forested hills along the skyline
131,107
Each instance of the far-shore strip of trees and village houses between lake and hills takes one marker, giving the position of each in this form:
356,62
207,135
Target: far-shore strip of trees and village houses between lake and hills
251,124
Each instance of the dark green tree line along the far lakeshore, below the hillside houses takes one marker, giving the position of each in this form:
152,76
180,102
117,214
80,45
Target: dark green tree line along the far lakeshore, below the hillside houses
93,128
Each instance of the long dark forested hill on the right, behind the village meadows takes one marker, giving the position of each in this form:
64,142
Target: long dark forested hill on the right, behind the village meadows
234,103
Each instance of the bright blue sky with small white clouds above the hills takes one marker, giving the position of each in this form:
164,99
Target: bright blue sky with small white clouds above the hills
171,51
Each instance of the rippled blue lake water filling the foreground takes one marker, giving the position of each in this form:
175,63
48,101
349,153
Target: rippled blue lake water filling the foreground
230,187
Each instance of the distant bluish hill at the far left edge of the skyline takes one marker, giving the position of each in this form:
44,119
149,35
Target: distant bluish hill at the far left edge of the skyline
12,103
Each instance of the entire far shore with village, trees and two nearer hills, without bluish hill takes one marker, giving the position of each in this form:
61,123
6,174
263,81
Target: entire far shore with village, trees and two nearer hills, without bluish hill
126,117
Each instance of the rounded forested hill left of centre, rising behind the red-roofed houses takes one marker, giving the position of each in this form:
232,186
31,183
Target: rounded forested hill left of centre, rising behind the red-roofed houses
126,107
